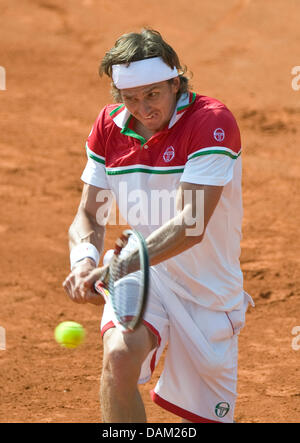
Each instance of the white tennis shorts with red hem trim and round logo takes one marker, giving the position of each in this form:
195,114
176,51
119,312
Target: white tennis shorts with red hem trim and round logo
199,378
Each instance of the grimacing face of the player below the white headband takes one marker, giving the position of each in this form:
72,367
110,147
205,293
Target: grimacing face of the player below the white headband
152,105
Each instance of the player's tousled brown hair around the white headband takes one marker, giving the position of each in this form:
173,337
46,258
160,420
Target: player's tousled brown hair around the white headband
133,47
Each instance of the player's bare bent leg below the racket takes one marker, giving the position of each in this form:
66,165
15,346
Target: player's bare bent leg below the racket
122,361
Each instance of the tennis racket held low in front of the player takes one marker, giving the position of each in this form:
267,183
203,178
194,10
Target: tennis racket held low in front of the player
128,303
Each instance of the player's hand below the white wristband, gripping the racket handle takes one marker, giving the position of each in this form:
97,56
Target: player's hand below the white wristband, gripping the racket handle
75,286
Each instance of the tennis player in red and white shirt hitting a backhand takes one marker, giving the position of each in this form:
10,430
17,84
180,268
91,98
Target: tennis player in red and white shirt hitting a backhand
161,137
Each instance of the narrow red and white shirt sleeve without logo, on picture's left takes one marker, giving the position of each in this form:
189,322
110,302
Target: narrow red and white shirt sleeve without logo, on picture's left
95,171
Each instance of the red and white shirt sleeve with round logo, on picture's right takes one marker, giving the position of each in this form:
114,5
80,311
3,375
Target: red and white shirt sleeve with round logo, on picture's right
214,147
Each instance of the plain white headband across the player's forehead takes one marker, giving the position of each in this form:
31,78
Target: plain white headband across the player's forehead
141,73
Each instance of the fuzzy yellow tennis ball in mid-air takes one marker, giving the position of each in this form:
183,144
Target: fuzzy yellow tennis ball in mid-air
69,334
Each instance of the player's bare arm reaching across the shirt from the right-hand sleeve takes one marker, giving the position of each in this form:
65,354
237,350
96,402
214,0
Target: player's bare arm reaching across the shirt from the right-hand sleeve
173,237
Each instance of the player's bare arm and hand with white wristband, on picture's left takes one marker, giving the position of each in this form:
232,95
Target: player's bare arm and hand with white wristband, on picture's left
86,228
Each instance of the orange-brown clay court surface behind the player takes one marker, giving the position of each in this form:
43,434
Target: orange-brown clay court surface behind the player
241,52
